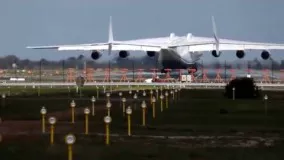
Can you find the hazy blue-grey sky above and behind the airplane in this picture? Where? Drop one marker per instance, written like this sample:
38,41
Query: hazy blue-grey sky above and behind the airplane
49,22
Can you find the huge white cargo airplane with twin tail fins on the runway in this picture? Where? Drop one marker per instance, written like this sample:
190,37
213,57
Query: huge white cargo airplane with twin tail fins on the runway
173,52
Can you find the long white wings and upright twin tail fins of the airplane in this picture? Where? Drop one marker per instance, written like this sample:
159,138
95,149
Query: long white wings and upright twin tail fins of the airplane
195,44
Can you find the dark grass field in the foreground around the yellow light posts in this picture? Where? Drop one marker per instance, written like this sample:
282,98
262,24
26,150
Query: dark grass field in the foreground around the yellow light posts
191,128
